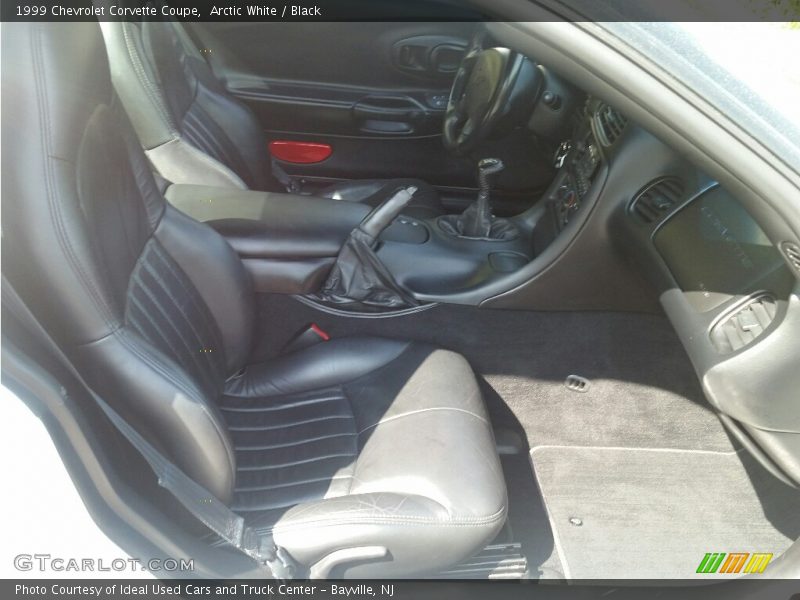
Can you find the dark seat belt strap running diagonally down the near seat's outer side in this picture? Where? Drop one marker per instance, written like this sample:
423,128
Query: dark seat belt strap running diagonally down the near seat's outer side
201,503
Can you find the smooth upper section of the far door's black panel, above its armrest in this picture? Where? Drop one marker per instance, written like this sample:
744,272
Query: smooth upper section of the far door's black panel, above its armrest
350,54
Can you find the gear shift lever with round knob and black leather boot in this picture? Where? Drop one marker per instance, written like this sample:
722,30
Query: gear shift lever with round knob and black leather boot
477,220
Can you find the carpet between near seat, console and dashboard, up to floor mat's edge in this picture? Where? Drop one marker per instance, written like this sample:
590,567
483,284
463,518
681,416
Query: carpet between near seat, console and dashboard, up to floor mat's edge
644,390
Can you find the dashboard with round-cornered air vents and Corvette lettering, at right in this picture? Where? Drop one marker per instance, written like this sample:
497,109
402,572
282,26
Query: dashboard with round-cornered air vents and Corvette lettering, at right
729,289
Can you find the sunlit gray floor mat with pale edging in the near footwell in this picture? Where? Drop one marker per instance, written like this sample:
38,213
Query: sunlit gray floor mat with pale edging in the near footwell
654,513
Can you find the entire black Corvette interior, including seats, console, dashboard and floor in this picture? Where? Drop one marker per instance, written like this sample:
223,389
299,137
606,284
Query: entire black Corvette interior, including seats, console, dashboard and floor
413,305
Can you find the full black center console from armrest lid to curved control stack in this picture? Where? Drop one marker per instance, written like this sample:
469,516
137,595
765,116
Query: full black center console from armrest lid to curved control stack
294,244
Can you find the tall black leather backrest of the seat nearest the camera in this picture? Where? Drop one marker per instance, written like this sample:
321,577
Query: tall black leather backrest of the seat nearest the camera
155,309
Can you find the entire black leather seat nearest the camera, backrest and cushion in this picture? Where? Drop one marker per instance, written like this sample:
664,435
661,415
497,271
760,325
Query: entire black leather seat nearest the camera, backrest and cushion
353,442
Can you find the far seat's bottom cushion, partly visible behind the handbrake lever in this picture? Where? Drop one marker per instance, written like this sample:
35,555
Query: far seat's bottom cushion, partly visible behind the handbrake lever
425,204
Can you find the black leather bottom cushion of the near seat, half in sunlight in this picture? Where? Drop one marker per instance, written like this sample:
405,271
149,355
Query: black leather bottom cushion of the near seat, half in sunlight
367,442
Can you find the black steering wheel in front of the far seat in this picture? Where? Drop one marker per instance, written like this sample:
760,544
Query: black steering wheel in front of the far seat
489,86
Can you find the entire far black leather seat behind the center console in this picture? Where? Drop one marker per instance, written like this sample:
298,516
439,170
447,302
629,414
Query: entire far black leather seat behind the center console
194,131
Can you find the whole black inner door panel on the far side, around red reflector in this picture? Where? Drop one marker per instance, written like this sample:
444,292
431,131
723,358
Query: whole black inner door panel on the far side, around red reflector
375,92
